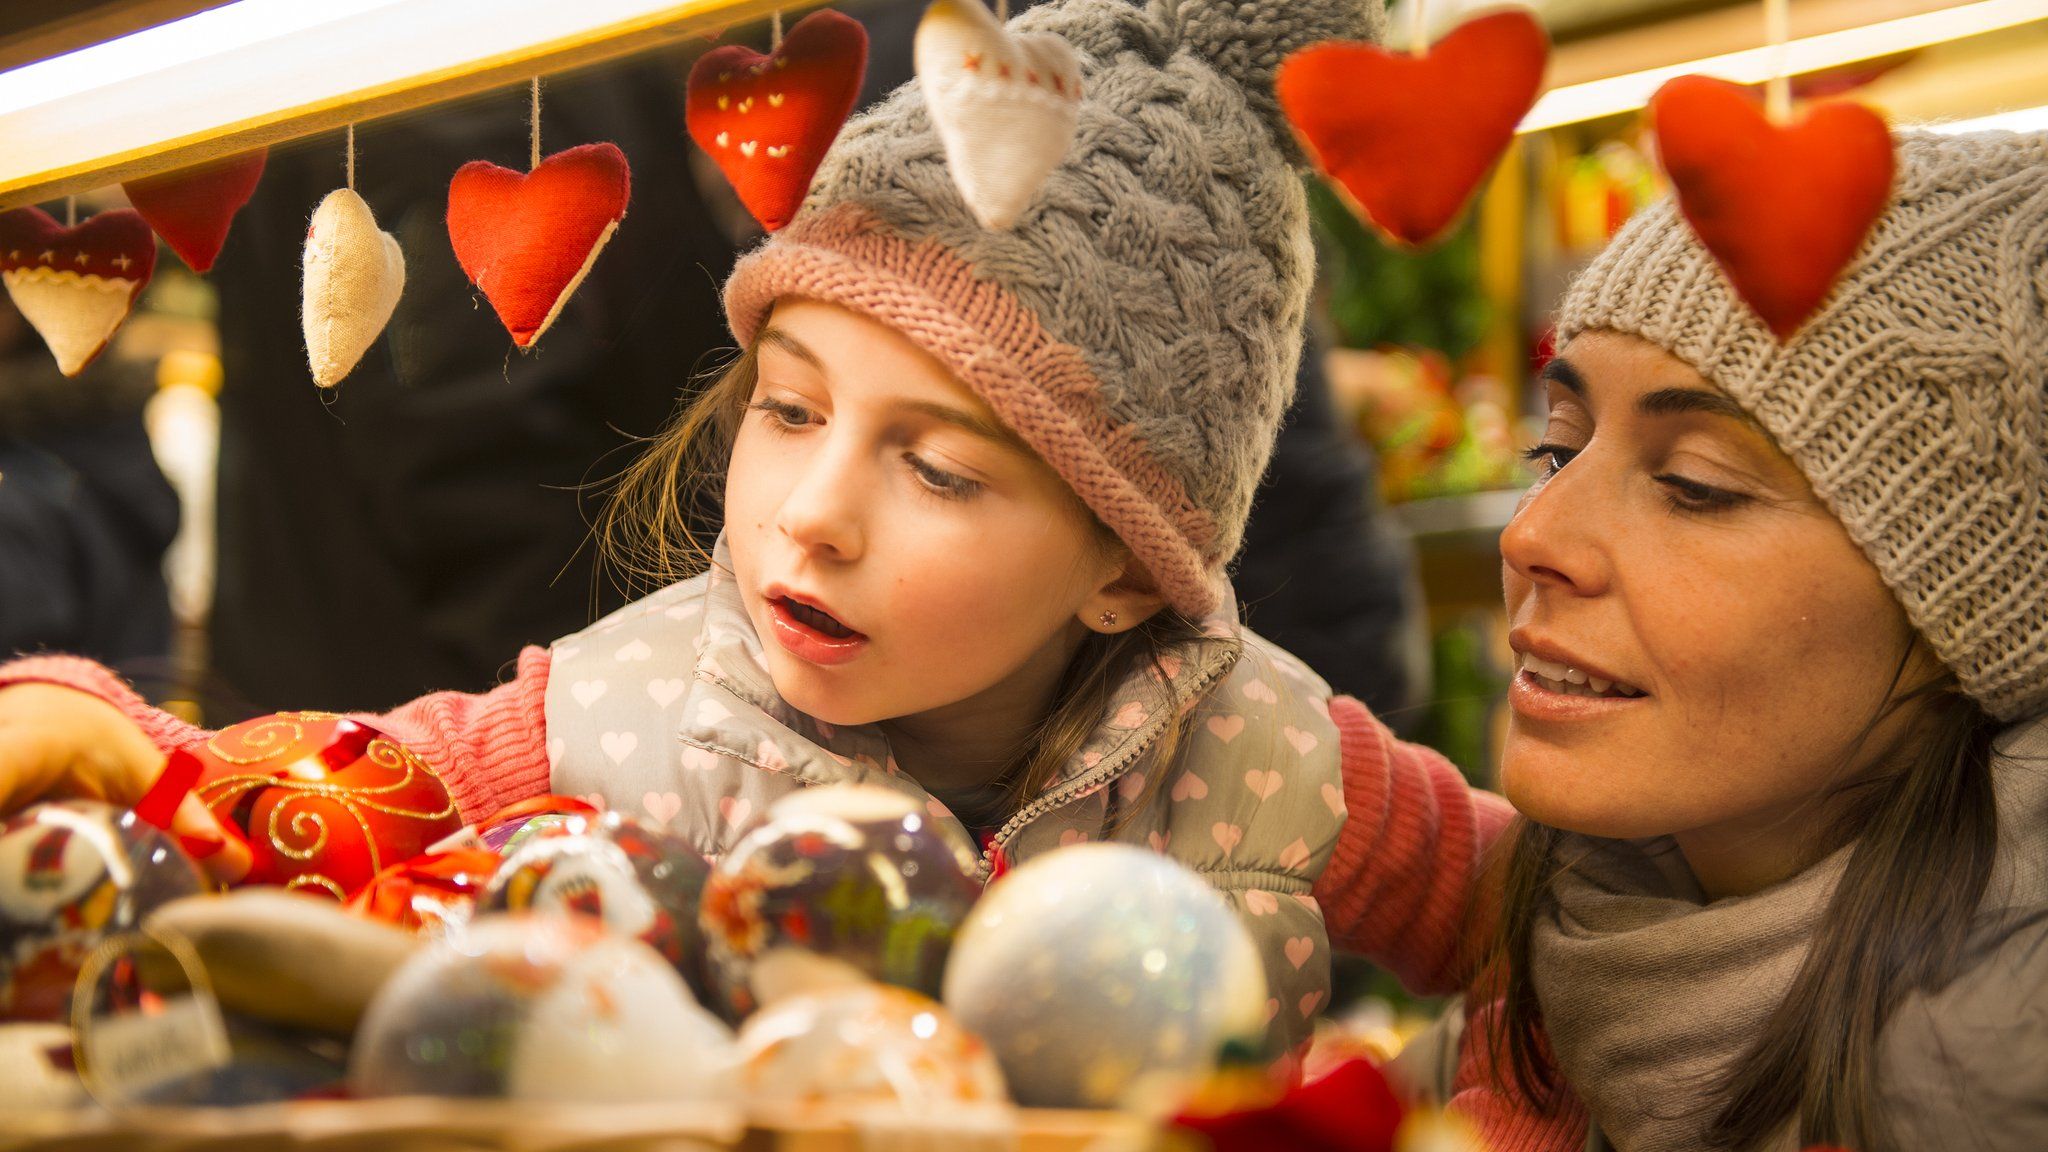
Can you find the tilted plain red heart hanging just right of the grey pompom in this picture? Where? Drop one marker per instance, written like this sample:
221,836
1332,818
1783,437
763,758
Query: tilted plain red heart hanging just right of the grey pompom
1410,138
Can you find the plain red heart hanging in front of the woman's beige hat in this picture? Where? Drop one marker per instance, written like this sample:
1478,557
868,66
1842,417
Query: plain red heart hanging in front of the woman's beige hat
1783,208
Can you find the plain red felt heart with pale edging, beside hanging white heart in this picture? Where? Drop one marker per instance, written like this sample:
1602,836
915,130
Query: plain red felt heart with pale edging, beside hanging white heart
529,239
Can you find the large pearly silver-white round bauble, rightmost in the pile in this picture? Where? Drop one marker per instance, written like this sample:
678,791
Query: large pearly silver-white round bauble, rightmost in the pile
1105,971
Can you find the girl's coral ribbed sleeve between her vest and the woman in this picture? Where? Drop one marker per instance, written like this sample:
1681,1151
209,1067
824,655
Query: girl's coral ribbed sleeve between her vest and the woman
1402,887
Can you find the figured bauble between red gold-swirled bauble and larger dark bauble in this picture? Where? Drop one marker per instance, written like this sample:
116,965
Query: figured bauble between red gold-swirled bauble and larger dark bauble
636,880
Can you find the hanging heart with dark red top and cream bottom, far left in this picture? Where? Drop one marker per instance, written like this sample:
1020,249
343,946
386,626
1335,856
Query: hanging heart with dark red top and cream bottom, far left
75,286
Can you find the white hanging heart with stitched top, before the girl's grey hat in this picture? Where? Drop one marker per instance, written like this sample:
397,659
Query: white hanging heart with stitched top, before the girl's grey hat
1005,106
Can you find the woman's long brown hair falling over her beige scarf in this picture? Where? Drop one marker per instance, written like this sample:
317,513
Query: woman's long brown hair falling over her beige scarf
1926,835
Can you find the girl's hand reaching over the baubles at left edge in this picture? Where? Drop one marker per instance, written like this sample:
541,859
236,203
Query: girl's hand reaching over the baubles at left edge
60,743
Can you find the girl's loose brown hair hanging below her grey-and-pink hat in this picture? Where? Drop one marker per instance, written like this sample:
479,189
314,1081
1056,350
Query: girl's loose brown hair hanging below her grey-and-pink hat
648,540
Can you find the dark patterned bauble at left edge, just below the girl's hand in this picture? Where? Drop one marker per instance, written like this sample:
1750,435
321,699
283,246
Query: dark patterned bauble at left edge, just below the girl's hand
71,874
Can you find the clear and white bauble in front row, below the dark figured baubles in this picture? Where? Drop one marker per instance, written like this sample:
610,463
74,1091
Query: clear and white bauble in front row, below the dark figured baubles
542,1010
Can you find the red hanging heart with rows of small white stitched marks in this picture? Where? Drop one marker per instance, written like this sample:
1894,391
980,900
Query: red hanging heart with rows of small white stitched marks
769,120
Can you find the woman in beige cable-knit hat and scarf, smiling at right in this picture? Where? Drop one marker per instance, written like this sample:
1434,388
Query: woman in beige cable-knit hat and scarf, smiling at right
1781,868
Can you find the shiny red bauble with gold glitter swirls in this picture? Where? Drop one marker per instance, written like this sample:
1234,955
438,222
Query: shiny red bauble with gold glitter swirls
325,803
